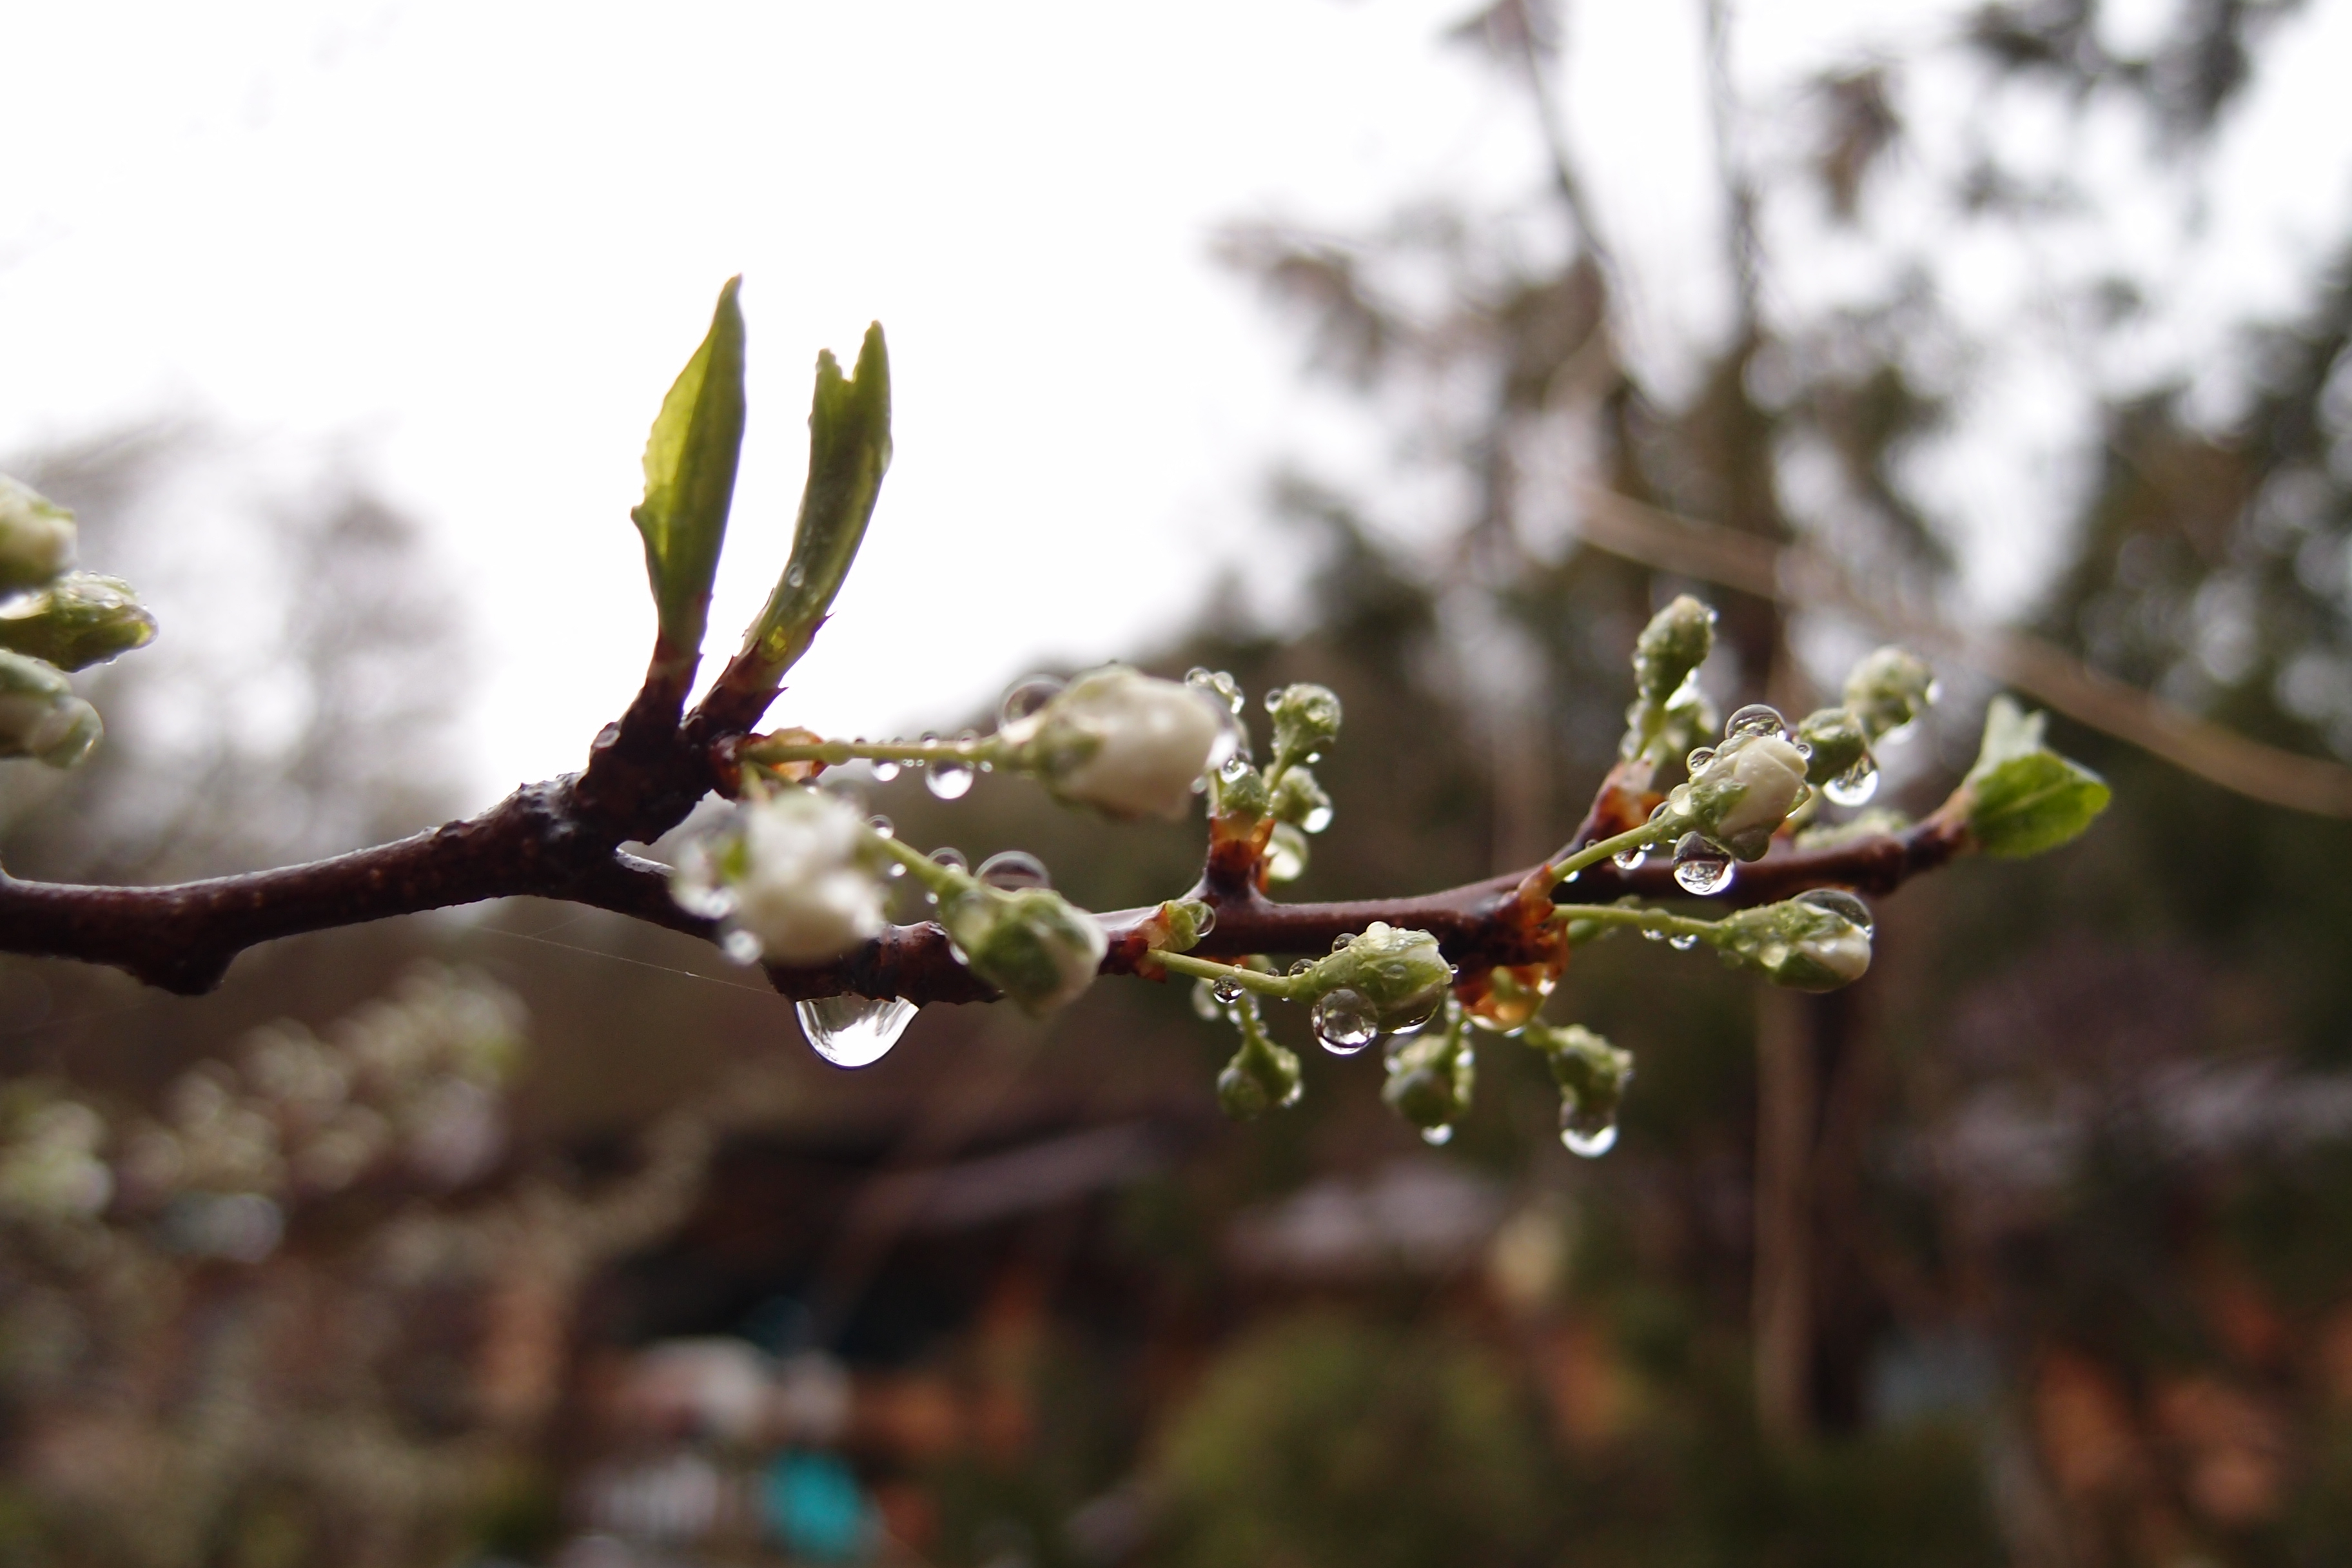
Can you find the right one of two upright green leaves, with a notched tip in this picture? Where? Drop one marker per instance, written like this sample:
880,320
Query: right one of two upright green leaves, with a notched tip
848,460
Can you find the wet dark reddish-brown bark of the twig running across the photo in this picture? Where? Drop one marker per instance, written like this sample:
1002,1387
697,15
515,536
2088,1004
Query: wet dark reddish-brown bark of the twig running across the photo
646,772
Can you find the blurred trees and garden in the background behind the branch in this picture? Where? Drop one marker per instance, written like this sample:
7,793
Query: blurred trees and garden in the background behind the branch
2026,1252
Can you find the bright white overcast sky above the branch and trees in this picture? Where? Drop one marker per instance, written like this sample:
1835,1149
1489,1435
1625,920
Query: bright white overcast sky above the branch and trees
472,246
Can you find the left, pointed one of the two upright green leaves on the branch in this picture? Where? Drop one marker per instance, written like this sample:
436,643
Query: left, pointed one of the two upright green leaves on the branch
690,464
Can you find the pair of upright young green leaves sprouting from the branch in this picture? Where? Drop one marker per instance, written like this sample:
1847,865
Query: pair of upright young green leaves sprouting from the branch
690,471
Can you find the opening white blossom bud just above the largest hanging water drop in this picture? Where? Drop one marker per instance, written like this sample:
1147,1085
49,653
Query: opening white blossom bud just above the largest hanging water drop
794,873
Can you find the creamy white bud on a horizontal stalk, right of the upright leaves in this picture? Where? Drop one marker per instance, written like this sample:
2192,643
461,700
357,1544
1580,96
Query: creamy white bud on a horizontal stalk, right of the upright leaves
1121,742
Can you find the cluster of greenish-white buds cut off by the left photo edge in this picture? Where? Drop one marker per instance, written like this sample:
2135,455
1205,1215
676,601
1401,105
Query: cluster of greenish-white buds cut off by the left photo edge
53,619
